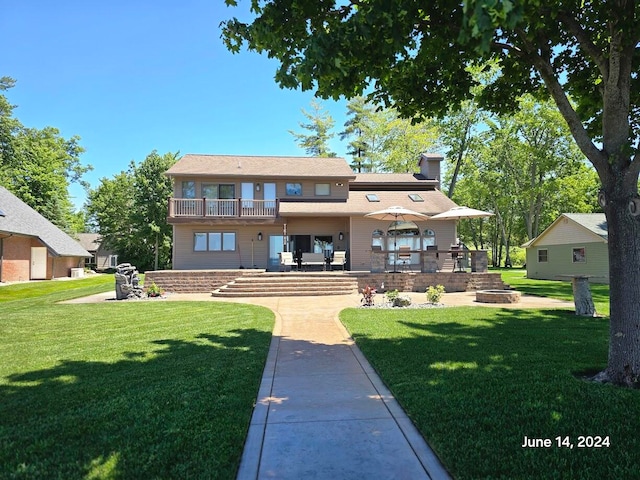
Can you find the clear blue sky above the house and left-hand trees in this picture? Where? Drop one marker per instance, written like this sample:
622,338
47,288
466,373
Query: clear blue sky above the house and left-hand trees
132,76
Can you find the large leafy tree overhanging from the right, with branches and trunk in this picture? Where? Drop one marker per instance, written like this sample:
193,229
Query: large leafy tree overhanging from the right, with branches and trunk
582,54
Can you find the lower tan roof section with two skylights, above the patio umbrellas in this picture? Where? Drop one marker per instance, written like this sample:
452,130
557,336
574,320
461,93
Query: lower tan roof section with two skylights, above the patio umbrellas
358,204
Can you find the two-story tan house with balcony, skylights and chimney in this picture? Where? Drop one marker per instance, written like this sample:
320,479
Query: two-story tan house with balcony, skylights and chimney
232,212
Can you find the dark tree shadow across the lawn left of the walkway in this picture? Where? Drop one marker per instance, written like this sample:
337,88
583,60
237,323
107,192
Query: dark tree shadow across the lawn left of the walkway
179,409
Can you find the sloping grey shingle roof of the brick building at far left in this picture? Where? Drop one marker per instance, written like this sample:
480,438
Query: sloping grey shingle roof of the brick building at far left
20,219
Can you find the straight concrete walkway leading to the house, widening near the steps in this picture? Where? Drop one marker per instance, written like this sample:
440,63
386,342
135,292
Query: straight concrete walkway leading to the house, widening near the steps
322,412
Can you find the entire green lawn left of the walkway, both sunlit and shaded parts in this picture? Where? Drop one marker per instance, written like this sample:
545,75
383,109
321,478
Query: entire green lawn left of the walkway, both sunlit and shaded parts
125,390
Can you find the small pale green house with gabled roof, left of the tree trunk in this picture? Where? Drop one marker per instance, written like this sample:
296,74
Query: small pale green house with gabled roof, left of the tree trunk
574,244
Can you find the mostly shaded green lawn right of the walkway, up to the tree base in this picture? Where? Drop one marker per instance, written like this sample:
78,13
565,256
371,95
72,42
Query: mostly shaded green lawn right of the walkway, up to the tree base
476,387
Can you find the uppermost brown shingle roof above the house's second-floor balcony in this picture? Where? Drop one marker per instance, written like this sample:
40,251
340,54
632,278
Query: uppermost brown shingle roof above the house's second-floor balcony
262,166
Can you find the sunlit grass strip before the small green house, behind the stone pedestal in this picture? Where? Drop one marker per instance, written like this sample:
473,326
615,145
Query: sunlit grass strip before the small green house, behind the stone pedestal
562,290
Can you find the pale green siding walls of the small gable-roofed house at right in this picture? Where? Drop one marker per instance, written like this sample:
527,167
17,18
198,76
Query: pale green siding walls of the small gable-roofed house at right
560,261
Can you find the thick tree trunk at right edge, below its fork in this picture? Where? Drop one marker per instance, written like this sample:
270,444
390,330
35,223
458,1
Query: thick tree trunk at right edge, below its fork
624,264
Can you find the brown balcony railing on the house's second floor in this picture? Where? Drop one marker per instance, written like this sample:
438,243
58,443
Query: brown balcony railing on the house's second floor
214,208
